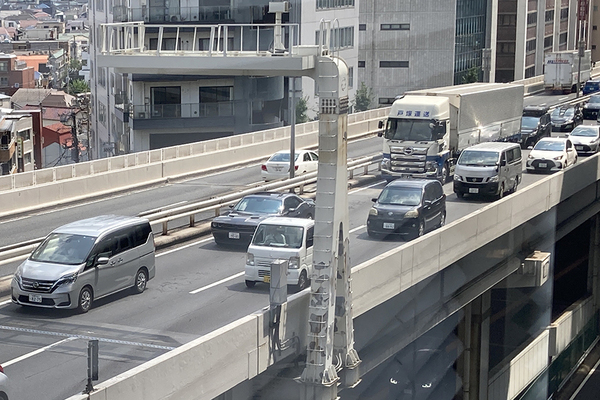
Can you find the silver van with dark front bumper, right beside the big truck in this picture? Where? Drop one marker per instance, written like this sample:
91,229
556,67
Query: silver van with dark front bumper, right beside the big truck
492,169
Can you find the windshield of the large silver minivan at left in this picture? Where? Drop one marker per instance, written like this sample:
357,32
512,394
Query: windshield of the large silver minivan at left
64,248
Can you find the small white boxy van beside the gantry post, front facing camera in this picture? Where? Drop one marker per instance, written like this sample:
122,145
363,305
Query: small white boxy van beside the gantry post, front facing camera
278,238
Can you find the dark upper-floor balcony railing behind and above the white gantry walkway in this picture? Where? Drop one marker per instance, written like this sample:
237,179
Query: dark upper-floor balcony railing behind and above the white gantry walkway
172,14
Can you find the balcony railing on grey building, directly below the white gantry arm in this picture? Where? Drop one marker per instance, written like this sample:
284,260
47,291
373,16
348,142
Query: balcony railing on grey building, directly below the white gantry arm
185,110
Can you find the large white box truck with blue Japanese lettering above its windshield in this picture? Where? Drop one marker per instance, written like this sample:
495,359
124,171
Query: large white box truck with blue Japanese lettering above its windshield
427,129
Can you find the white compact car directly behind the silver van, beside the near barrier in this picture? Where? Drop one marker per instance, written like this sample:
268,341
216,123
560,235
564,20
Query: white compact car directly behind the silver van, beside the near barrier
551,154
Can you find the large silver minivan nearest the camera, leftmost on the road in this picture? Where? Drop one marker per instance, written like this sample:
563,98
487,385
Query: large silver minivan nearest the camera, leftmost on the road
85,260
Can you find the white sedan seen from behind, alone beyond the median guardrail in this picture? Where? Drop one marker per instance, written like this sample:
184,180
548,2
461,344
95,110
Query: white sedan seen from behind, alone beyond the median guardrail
278,166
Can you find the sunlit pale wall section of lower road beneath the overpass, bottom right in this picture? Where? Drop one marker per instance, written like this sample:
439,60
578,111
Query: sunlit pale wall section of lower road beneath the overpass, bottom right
522,370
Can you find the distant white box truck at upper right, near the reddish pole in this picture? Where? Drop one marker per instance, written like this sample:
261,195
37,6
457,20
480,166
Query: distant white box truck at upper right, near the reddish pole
561,70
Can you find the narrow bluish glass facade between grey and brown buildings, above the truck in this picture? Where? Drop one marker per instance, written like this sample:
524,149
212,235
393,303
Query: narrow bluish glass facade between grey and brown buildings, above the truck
470,40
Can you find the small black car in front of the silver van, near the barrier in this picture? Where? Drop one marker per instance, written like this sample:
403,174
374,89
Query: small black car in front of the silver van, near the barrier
407,208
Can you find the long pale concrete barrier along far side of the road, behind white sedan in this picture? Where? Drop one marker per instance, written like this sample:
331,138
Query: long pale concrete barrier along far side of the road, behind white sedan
52,186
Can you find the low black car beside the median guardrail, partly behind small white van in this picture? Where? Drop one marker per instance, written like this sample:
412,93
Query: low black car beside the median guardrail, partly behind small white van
237,225
